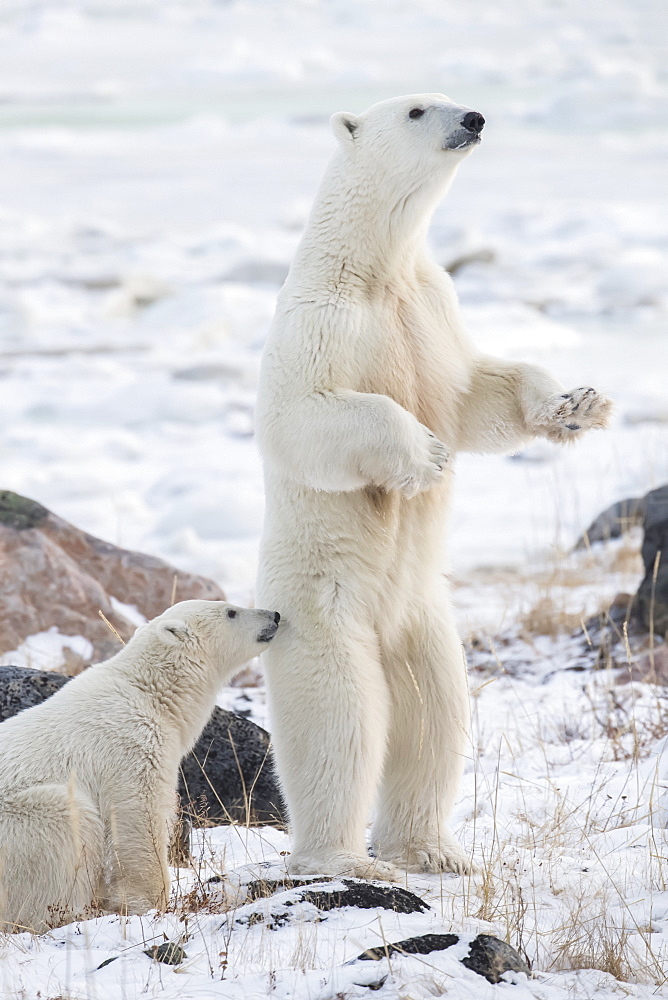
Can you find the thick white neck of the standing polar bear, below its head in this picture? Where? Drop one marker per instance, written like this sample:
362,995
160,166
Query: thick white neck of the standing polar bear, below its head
366,227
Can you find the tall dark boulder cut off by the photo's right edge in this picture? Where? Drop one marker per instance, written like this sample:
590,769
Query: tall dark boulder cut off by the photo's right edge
651,600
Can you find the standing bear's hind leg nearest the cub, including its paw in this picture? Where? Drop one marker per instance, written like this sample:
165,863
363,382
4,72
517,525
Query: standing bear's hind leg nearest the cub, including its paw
330,751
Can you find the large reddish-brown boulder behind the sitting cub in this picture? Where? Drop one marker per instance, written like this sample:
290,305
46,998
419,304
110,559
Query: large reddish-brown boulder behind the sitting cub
53,574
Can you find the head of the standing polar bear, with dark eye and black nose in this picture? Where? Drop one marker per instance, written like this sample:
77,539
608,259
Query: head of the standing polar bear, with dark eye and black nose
421,134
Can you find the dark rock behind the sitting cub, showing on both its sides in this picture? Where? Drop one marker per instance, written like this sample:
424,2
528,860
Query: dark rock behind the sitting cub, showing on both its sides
228,777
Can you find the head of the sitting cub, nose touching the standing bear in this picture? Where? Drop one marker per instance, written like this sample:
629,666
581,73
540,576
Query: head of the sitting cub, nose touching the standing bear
213,631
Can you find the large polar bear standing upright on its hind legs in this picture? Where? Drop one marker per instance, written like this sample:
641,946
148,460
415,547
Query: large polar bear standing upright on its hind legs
369,386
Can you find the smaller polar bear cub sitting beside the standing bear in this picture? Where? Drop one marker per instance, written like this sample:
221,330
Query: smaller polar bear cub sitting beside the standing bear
88,779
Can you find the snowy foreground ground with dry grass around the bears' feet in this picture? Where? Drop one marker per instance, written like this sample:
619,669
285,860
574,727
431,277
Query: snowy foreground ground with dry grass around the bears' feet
560,811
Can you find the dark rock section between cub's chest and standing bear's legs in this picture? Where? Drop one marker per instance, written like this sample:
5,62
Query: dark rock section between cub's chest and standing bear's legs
229,777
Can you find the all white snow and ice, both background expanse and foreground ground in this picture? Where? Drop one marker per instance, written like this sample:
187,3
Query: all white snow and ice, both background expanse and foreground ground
158,161
